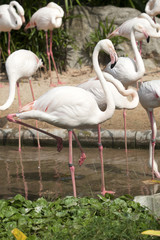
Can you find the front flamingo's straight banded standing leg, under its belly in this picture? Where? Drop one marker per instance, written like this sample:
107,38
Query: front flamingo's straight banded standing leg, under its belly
72,168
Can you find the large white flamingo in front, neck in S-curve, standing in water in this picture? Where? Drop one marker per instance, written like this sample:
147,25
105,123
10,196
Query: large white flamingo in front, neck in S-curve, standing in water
71,107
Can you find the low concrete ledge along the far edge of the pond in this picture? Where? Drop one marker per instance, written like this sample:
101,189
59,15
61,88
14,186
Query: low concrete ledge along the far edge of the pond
88,138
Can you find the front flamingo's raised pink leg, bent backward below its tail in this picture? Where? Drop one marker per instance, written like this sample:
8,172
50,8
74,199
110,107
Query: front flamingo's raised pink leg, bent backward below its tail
10,118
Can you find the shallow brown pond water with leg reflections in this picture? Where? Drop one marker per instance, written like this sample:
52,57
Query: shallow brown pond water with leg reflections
35,173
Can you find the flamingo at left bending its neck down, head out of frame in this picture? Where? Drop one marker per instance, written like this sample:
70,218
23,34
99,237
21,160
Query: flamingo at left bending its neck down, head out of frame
21,63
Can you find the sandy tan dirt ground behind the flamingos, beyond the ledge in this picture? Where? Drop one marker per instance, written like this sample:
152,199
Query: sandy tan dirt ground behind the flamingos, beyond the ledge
136,119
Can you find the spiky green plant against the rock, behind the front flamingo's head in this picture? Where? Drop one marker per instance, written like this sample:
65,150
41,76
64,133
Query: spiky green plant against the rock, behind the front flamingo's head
101,32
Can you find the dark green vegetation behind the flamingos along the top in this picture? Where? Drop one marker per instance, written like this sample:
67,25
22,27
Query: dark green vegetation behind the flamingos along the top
35,40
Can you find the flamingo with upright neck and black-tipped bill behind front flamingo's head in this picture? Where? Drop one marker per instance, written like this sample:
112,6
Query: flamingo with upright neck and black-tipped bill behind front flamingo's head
128,70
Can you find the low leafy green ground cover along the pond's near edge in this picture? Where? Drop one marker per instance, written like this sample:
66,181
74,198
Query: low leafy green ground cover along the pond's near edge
76,218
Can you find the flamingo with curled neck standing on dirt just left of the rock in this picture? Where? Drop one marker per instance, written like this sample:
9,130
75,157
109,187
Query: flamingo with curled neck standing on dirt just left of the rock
48,18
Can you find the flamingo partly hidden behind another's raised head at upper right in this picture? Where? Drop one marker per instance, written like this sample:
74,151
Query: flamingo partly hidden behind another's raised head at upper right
125,28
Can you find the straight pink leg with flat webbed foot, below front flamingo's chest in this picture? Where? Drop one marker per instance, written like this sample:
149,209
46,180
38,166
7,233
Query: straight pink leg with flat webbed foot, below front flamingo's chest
103,190
